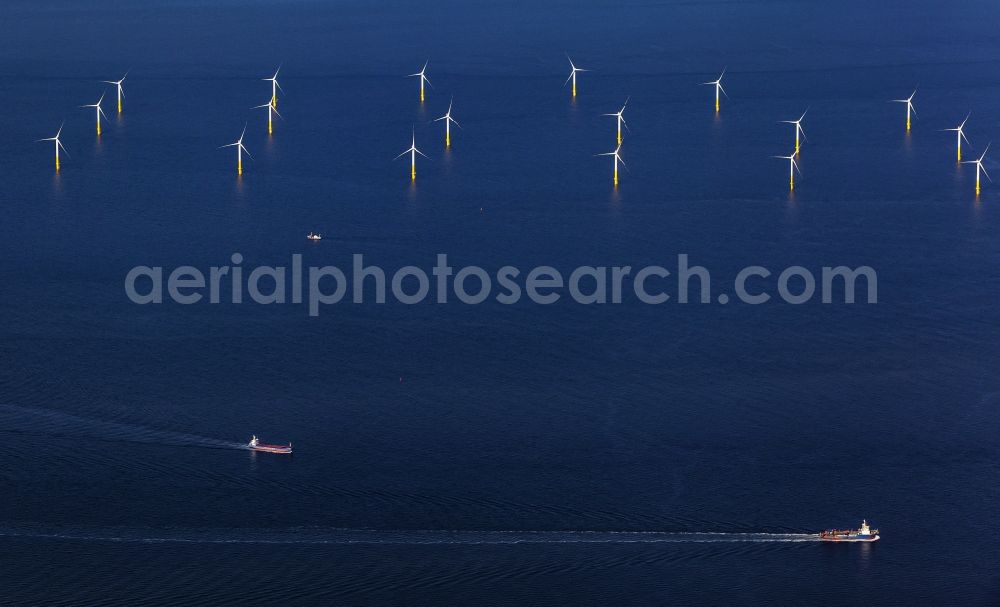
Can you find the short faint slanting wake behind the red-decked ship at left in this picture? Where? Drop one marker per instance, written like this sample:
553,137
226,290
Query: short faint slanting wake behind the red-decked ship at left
50,421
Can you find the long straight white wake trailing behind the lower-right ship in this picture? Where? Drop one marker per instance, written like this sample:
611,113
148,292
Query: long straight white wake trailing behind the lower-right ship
404,537
